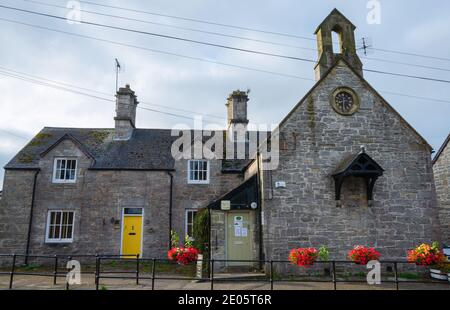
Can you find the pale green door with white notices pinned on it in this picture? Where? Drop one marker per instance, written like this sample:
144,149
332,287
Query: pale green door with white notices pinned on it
239,237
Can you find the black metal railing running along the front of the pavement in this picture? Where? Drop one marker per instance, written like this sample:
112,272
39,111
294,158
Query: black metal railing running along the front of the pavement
212,278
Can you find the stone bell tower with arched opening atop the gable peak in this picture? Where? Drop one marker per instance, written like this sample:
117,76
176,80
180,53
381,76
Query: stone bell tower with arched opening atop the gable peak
345,31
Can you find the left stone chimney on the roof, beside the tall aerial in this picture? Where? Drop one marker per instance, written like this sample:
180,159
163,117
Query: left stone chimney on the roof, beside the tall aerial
125,120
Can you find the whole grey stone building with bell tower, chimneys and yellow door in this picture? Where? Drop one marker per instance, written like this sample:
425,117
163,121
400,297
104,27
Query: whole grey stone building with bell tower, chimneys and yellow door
350,170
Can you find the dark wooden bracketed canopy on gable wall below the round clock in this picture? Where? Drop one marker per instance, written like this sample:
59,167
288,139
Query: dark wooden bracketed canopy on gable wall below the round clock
362,166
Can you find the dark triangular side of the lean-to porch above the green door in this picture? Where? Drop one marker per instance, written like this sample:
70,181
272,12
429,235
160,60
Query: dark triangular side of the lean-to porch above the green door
241,197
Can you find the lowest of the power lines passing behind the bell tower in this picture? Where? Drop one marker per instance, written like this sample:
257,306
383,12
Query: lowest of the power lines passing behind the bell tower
201,59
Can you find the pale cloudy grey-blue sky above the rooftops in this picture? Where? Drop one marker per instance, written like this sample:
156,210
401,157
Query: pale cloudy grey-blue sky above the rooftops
411,26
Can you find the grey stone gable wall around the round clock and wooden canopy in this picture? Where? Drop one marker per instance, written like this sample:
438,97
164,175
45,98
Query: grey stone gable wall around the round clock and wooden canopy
316,140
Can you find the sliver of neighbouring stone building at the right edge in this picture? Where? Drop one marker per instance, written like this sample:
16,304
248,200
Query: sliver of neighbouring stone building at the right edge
441,168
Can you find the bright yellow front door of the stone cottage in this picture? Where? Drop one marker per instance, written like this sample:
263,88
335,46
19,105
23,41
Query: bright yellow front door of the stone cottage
131,236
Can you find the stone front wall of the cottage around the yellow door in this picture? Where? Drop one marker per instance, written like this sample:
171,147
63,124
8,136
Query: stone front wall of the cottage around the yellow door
98,198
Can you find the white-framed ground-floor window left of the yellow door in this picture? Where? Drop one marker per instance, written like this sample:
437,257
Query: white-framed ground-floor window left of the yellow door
60,226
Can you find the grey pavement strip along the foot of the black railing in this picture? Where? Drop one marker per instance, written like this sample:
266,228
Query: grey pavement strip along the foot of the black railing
228,282
